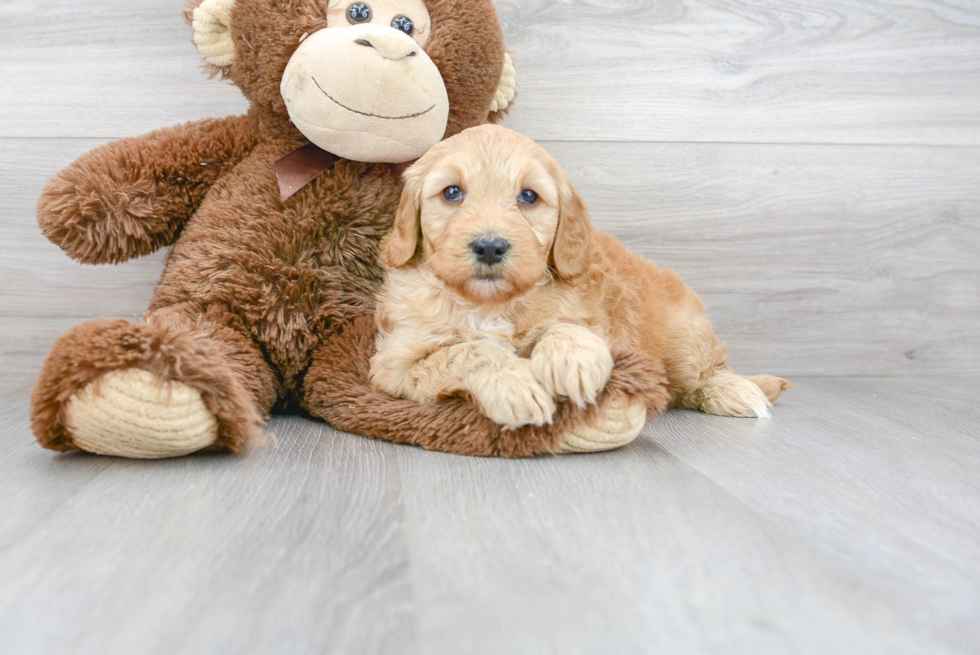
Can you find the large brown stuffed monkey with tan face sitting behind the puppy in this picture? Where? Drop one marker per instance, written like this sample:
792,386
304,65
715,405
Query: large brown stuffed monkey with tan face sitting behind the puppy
273,220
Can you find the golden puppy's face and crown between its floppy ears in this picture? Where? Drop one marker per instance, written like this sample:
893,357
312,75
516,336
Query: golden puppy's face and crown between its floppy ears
489,211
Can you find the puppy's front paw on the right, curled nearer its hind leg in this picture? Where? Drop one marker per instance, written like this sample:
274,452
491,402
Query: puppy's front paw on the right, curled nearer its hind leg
570,360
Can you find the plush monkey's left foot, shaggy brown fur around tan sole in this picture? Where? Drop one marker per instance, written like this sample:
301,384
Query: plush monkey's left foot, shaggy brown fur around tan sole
144,390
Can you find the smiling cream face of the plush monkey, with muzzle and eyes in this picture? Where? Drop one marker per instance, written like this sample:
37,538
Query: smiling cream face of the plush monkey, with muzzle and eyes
364,88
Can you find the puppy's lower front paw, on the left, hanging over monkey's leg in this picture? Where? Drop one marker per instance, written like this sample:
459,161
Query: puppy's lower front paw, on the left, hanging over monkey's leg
514,398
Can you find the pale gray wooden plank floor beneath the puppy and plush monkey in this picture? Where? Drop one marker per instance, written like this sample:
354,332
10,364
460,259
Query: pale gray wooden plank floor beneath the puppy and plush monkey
847,523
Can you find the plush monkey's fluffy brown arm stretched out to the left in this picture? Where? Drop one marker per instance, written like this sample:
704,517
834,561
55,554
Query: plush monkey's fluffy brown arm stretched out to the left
131,197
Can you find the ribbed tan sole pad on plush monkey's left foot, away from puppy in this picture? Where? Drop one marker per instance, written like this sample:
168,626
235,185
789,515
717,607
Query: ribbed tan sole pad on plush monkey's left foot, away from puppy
133,413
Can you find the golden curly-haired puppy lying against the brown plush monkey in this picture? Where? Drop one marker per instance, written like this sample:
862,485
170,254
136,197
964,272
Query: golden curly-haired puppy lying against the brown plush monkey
498,286
